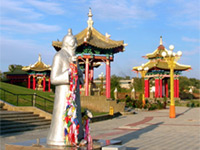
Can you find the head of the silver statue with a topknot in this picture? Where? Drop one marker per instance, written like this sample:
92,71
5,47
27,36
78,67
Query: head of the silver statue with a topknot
69,41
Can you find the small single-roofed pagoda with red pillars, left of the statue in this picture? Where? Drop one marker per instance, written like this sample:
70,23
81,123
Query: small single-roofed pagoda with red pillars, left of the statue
39,72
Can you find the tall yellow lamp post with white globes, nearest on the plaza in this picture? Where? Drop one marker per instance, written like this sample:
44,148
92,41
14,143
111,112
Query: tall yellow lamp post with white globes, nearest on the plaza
170,57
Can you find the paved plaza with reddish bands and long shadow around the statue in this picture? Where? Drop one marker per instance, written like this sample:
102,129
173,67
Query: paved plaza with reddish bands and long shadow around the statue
146,130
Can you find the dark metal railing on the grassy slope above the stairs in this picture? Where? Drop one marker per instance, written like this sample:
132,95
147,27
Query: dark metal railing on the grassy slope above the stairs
27,100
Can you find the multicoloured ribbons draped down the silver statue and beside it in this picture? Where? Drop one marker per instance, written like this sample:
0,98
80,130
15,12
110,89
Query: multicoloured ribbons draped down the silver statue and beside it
71,123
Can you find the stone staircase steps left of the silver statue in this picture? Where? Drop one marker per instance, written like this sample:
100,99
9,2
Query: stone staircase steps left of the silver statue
12,122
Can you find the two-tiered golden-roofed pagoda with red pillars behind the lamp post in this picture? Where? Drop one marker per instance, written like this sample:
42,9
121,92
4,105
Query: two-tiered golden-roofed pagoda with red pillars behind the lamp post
158,70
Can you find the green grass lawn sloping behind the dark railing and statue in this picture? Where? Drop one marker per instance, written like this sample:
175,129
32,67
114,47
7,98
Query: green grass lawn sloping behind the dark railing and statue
26,100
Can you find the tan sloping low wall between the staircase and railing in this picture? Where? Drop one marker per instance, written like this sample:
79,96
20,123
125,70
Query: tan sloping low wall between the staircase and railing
35,110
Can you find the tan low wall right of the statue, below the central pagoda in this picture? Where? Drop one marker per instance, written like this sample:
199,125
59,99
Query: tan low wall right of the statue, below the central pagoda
101,104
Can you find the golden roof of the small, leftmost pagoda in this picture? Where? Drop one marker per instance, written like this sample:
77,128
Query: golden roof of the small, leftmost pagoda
38,66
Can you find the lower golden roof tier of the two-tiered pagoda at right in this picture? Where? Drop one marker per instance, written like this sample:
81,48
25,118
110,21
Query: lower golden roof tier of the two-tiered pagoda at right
162,65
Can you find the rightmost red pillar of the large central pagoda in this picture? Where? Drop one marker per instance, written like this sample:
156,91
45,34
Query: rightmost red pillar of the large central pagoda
107,78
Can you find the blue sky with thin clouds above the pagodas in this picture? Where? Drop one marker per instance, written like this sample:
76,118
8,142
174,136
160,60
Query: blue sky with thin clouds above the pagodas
28,27
